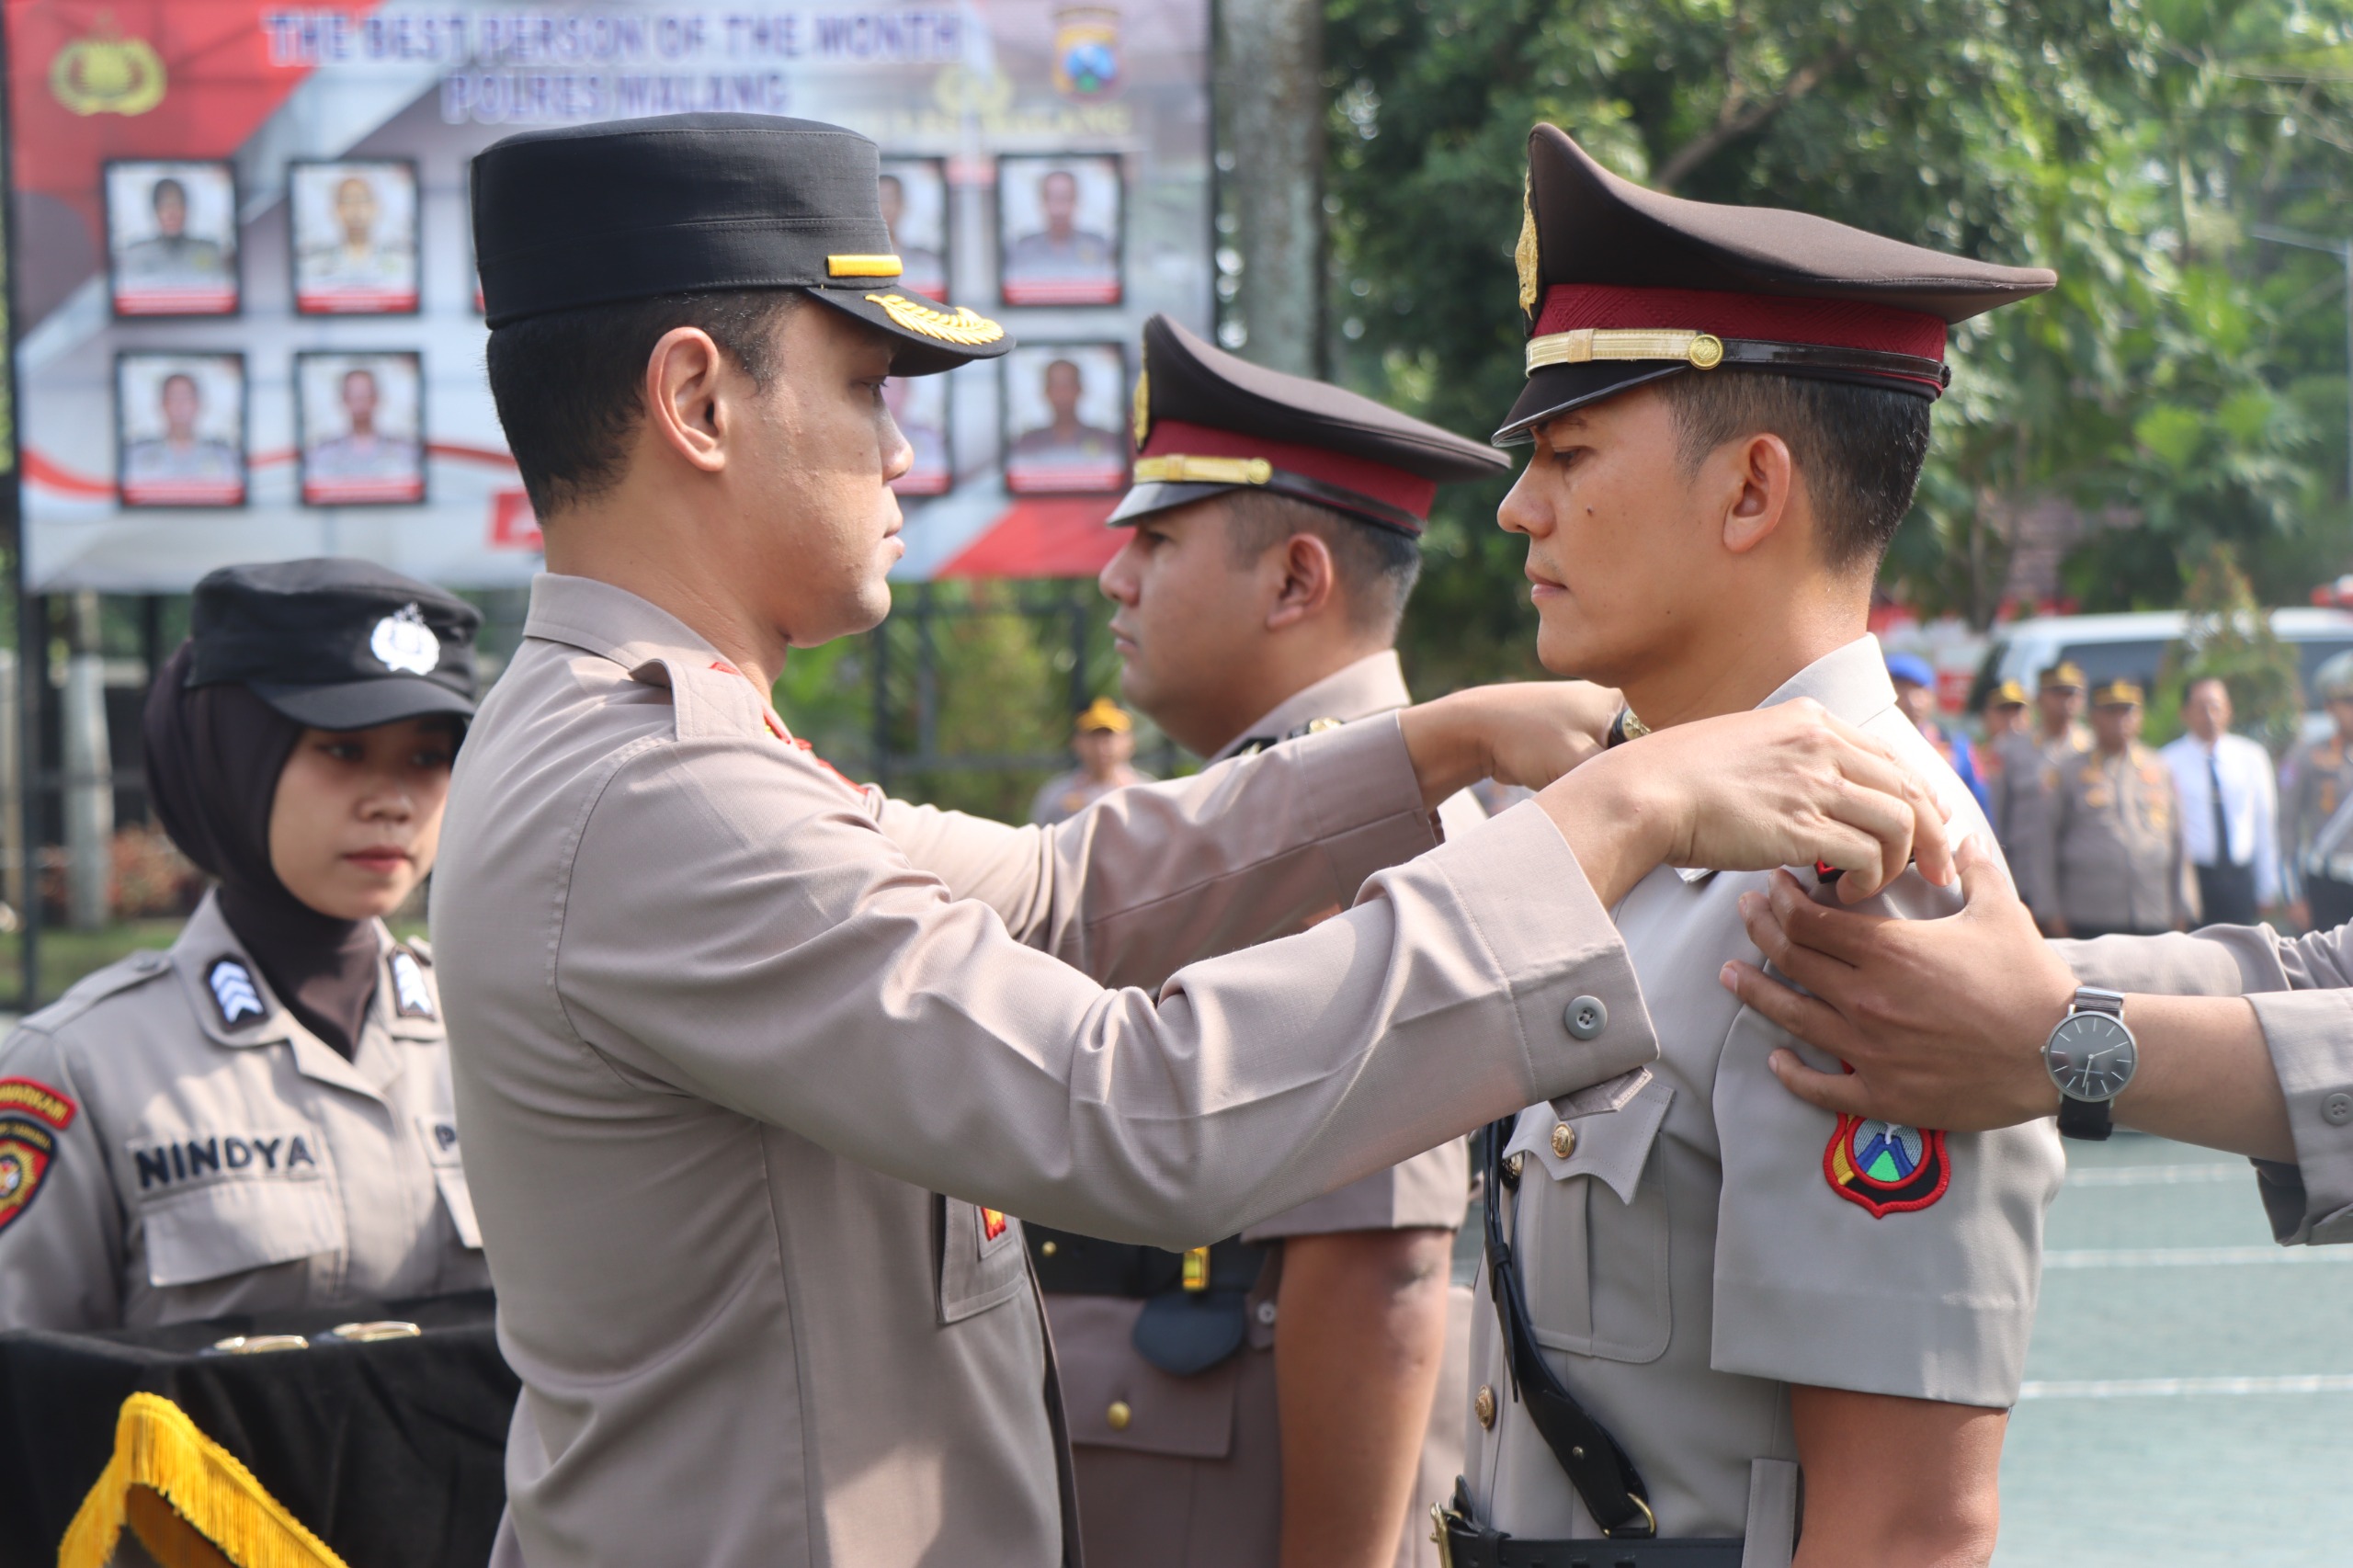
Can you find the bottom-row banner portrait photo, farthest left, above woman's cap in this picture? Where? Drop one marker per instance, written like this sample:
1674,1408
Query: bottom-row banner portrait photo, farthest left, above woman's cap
180,430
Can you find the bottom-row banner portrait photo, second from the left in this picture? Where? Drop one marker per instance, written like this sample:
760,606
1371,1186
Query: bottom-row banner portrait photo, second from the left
361,420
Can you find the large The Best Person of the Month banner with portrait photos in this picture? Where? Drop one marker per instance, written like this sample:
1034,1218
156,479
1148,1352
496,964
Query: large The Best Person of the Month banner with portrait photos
241,178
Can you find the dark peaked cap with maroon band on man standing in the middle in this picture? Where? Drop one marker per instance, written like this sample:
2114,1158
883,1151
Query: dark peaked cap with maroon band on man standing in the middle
1211,423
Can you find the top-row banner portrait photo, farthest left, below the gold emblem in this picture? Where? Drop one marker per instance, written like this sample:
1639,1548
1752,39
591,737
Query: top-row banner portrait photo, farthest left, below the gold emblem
173,239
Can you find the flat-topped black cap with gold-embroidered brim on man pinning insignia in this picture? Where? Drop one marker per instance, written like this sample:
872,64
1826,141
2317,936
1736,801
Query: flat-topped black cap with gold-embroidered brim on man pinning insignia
688,204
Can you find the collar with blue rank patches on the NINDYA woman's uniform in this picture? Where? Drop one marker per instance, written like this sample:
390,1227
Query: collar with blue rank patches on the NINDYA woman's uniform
234,1004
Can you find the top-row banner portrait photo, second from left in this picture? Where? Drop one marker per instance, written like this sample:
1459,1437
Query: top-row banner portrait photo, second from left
354,237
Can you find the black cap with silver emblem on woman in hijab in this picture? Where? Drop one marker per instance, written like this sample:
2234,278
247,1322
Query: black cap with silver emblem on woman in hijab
335,644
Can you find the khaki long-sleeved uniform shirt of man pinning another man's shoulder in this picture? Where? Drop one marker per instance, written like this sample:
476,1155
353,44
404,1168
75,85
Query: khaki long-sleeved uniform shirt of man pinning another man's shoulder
754,1065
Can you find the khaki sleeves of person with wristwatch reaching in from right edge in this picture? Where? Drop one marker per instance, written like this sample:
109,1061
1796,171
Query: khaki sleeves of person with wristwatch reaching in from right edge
2302,995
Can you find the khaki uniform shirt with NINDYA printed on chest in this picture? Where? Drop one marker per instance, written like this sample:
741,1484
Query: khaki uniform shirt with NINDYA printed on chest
175,1145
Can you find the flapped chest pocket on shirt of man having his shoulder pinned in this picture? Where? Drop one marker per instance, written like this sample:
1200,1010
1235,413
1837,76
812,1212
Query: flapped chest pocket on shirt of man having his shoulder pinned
1594,1228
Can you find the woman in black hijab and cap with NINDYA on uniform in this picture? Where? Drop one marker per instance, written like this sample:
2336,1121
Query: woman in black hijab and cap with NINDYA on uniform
260,1117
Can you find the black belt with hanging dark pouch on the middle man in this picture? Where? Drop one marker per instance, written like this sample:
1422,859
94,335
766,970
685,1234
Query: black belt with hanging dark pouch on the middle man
1197,1303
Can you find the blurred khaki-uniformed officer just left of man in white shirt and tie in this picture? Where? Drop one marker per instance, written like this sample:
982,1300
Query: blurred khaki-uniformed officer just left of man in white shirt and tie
2109,858
